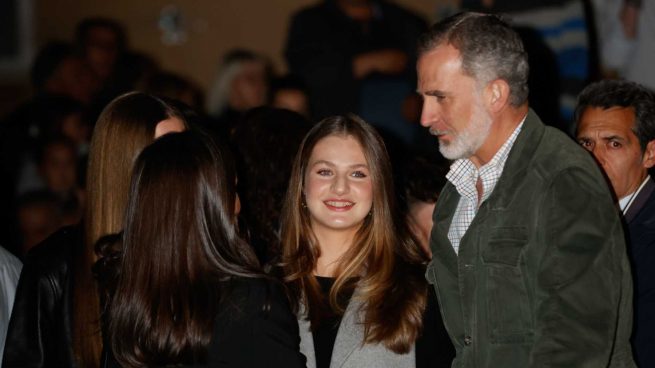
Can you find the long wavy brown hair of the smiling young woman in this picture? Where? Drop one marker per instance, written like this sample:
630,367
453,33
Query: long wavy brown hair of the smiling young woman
384,258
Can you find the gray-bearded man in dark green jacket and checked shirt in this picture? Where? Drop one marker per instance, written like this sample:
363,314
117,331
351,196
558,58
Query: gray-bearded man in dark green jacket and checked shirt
529,260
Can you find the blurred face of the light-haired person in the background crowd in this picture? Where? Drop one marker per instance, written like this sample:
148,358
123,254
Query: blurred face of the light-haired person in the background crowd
250,87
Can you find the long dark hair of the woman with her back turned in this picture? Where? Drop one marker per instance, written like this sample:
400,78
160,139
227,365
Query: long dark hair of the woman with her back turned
179,242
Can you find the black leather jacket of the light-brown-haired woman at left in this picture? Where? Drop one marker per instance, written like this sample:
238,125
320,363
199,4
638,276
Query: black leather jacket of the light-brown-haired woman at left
39,332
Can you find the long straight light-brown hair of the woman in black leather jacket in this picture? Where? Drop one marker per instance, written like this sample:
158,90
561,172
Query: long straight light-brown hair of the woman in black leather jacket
124,128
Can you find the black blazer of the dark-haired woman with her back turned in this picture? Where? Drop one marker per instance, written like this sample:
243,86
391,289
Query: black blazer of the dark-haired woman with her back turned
254,328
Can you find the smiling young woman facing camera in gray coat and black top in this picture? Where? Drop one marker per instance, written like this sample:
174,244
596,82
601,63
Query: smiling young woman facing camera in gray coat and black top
354,272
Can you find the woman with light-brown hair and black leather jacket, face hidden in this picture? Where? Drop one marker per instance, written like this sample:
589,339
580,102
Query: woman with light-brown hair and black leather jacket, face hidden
56,316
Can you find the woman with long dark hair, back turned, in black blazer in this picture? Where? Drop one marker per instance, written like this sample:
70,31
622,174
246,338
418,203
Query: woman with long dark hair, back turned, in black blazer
188,290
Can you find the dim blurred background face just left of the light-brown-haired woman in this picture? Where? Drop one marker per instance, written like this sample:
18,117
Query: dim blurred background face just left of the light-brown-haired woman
59,168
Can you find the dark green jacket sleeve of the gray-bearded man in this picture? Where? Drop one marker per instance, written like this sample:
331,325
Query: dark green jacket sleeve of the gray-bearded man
583,284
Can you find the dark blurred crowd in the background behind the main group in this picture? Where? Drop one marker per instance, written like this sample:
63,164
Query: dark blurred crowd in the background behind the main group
342,56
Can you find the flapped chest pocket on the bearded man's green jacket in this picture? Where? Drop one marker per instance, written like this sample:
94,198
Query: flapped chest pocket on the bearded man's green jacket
507,300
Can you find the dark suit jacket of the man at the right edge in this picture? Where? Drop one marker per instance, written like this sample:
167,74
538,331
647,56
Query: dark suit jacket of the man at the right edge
640,220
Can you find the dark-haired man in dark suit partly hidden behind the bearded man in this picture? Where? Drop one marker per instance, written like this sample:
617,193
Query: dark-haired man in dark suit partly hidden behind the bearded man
616,123
